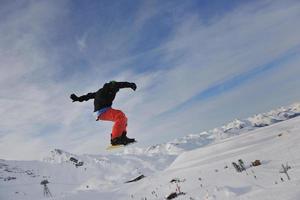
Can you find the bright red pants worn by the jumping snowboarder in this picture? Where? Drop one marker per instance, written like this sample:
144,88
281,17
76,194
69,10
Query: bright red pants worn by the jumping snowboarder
118,117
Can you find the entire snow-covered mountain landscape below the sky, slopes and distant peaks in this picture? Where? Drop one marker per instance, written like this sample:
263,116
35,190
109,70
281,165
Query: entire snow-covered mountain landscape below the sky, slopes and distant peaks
198,166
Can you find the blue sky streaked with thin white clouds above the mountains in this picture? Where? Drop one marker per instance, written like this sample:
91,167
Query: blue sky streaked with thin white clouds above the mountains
197,65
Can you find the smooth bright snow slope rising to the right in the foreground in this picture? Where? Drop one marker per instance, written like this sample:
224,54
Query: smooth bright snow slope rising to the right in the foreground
208,173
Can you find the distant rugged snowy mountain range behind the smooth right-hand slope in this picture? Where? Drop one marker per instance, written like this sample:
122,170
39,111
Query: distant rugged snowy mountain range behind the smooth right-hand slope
235,127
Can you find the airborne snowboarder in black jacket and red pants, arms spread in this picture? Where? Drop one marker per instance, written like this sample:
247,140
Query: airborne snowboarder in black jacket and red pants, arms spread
103,99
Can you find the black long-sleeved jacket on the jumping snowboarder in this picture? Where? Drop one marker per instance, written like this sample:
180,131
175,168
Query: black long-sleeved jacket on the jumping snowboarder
105,95
